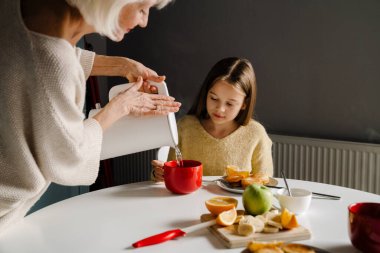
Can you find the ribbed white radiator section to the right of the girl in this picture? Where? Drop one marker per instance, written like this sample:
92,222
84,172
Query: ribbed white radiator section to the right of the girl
349,164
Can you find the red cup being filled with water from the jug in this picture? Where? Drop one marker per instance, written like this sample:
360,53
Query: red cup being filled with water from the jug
184,179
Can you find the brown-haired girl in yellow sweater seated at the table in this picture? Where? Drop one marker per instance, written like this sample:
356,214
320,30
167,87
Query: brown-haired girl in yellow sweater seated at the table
219,129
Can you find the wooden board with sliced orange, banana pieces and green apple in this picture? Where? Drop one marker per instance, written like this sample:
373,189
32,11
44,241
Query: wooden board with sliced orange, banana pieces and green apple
237,228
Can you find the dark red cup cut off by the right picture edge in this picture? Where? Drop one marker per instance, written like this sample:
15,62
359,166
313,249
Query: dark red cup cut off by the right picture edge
364,226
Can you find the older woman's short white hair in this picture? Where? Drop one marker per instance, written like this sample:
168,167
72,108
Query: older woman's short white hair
103,15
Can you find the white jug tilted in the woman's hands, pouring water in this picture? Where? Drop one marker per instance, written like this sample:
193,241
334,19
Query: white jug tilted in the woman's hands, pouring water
135,134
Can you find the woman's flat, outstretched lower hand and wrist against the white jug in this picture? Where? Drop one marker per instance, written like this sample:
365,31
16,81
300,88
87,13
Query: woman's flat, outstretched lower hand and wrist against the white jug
136,103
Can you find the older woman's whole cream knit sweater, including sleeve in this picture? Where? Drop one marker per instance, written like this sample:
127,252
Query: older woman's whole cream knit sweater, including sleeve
43,135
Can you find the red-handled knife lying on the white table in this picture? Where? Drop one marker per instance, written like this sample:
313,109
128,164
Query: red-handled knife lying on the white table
171,234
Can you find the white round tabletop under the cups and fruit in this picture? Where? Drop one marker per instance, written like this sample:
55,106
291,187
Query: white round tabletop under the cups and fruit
110,220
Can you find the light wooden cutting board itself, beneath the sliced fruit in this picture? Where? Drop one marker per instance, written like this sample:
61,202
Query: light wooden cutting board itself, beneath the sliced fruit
231,239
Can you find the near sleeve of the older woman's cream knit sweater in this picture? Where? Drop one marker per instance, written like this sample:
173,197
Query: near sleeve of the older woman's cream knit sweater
67,146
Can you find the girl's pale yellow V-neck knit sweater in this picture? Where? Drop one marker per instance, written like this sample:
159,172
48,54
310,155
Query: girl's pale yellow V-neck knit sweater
248,147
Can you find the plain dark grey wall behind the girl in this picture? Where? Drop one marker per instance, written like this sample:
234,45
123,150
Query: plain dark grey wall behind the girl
317,61
